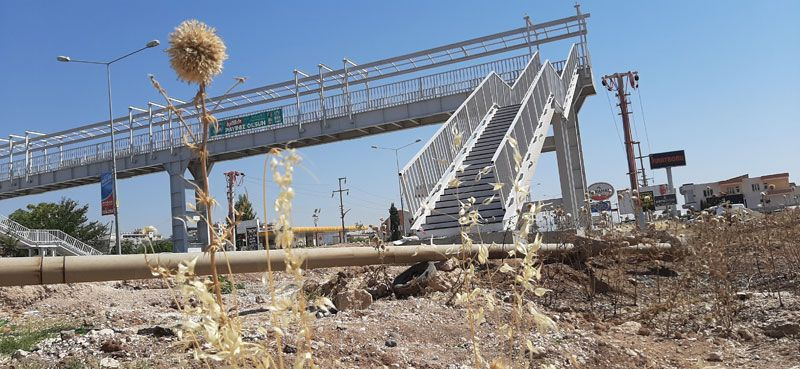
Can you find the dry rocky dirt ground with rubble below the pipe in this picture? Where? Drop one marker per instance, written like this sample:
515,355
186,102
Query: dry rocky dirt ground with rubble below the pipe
631,311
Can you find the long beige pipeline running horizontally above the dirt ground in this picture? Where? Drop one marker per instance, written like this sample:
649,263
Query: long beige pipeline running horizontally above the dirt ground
73,269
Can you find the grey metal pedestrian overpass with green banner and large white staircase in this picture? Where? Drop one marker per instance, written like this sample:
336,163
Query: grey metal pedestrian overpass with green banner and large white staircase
464,84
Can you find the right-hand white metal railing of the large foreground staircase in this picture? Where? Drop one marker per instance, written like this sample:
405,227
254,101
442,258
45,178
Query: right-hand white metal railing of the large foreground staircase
547,85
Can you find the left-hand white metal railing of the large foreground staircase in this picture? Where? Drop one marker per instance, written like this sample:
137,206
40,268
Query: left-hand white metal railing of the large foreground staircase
422,176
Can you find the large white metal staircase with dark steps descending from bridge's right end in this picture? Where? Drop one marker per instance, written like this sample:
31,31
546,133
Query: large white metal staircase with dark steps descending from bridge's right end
506,129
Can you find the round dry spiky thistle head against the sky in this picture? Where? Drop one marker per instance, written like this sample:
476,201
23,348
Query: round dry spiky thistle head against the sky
196,52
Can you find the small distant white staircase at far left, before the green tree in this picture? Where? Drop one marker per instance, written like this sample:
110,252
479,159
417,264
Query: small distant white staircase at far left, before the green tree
56,241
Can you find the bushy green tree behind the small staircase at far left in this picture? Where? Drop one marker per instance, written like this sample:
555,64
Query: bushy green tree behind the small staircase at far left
67,216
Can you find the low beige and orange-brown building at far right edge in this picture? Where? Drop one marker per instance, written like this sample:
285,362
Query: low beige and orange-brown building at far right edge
765,193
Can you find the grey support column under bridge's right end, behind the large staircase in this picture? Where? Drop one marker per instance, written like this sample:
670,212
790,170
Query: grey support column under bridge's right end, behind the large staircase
571,171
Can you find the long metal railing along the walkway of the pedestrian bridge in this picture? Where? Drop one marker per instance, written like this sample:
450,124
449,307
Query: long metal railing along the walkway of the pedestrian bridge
171,136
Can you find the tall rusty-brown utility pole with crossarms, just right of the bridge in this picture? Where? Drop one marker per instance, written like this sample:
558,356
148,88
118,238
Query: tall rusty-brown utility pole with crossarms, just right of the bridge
616,82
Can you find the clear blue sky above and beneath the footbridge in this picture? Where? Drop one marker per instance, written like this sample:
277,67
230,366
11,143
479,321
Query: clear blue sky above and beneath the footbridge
718,79
